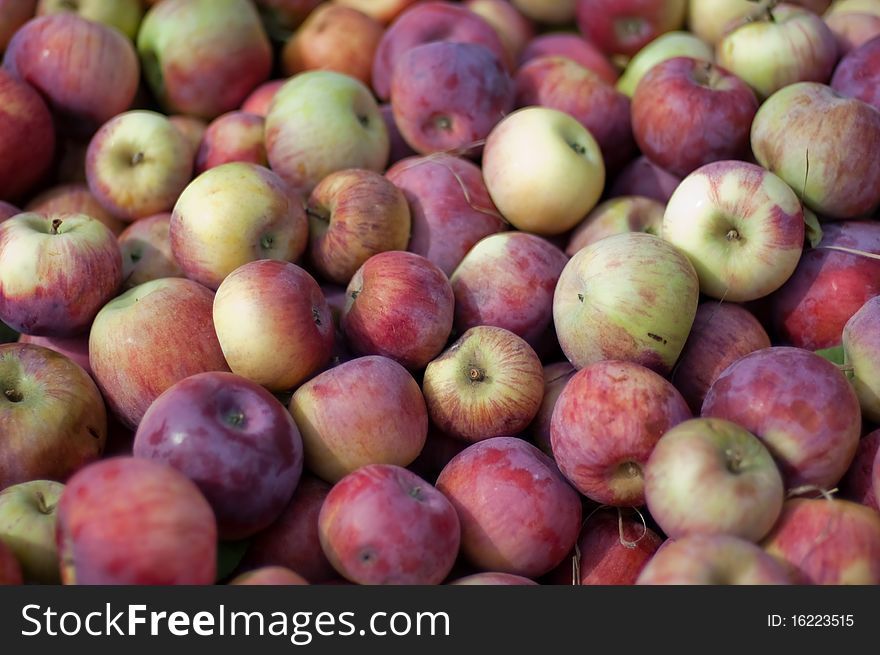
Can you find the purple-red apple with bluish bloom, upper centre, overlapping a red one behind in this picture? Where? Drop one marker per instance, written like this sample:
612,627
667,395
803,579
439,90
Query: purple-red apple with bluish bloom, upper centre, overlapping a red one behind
478,92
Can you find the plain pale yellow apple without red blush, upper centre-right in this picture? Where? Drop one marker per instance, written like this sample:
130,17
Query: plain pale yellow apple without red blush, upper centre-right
543,169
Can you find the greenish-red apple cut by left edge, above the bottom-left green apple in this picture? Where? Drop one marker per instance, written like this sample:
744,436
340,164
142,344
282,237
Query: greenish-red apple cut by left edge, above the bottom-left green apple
53,418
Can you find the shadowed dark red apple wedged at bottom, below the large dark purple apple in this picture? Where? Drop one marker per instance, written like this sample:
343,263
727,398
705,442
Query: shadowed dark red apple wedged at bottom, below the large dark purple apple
292,541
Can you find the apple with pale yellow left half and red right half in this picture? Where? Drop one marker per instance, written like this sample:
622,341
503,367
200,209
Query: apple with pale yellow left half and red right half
289,333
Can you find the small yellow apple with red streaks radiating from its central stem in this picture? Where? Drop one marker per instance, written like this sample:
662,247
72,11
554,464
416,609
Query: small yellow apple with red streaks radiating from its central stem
489,383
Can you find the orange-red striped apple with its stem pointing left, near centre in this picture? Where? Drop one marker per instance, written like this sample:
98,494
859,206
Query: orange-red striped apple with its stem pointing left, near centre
353,215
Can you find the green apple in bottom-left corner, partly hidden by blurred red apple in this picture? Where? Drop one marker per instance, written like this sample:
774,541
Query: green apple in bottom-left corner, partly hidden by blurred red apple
27,527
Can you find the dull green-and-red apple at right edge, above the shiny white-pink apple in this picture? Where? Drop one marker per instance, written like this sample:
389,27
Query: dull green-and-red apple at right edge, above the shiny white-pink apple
836,132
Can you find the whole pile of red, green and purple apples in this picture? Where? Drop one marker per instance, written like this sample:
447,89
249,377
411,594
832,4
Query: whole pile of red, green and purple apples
418,292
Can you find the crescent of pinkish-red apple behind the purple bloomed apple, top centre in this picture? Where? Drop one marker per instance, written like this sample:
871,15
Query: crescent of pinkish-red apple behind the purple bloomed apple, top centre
428,22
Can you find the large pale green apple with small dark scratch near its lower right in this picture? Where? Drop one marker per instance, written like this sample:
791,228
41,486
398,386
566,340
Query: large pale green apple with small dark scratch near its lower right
593,309
